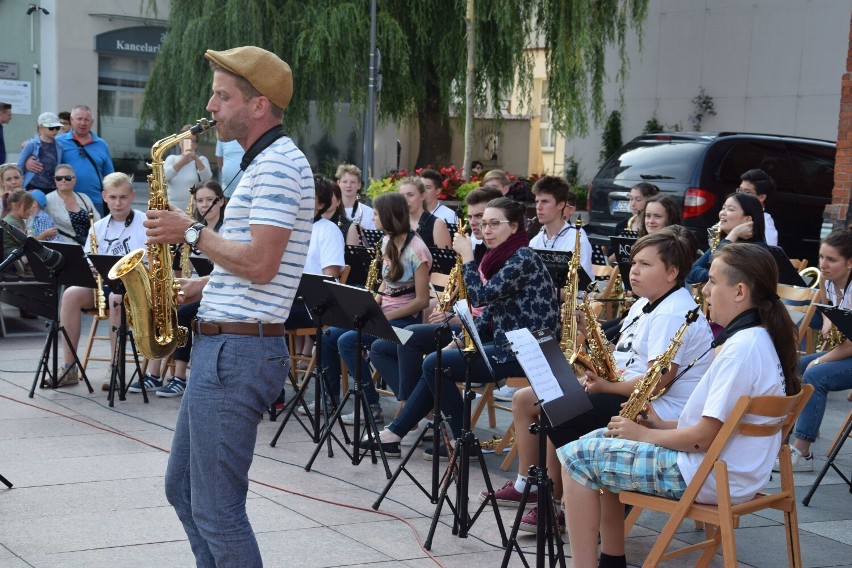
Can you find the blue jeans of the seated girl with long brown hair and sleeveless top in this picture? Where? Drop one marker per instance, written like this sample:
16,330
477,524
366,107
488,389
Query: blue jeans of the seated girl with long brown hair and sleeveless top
340,343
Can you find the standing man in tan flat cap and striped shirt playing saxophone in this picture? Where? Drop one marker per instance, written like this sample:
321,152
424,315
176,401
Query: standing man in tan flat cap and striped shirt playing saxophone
239,358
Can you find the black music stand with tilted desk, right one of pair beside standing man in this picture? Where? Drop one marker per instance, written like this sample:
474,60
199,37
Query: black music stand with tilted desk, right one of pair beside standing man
362,314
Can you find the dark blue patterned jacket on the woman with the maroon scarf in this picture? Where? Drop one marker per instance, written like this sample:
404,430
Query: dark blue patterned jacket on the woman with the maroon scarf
520,294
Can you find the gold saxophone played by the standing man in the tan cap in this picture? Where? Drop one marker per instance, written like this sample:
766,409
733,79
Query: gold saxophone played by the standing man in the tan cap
151,292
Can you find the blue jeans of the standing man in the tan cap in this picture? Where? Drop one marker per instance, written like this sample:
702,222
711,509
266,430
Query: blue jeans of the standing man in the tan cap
234,380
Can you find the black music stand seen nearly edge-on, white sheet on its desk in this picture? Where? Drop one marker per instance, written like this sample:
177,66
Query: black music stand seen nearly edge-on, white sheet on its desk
460,454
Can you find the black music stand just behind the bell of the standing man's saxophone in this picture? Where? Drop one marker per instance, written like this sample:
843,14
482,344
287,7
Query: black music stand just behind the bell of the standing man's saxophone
118,375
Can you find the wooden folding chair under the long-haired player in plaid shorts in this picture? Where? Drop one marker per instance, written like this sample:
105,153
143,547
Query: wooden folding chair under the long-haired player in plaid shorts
725,516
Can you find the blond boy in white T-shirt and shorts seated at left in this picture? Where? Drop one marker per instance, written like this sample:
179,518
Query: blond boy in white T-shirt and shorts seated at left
116,234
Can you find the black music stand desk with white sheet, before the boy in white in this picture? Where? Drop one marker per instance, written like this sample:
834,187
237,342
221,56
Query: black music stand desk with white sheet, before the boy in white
551,377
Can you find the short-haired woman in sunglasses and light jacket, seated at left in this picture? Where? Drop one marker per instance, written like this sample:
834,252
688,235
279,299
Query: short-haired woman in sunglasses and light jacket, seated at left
69,209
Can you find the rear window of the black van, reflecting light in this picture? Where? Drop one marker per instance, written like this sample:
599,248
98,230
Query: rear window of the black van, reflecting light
651,160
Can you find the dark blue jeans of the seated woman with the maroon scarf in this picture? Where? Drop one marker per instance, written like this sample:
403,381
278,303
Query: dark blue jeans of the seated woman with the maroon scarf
422,400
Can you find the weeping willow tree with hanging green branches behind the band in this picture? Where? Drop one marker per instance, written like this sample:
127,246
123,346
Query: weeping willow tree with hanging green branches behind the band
422,45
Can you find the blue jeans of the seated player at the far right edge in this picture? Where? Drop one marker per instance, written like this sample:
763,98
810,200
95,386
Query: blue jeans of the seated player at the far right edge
825,377
